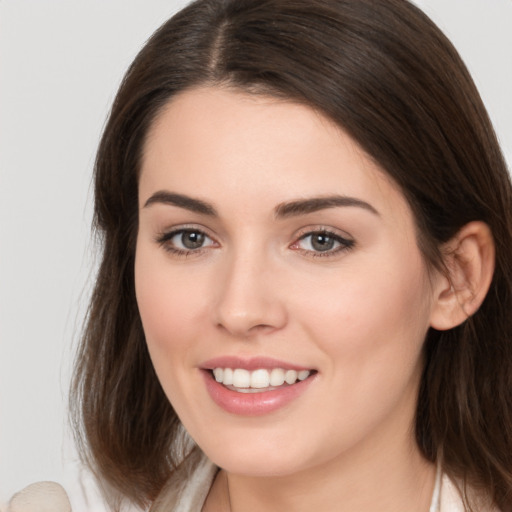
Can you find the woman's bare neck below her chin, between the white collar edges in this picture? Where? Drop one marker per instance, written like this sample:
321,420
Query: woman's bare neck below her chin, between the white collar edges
399,481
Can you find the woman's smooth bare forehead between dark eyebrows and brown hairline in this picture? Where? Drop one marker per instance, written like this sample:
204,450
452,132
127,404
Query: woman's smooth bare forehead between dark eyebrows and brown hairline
222,145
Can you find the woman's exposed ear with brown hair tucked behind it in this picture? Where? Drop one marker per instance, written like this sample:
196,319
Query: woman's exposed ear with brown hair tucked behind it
469,260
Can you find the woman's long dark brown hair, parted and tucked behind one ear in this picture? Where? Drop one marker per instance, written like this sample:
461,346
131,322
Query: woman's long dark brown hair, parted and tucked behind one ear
385,73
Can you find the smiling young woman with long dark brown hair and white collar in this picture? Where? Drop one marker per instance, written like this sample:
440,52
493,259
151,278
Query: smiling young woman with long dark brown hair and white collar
306,225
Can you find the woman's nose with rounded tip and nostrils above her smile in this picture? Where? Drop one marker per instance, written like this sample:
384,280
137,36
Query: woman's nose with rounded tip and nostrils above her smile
250,299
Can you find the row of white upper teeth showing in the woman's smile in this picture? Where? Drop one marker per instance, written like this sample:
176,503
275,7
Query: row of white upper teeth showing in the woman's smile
258,379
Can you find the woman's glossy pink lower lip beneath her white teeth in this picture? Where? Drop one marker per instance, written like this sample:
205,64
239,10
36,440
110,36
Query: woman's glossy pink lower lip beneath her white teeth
253,404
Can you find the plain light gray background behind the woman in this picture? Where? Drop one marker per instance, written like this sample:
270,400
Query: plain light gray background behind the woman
60,64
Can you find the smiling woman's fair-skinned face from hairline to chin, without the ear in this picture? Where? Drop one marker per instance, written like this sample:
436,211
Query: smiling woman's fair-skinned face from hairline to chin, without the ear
270,247
